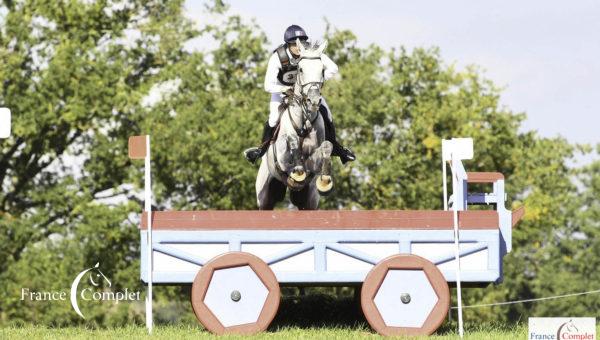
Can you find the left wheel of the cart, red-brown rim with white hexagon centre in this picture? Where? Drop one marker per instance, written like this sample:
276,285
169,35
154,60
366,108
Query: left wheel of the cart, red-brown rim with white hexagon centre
235,293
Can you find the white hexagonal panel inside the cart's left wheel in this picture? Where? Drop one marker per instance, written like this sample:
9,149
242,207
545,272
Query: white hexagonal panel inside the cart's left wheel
231,284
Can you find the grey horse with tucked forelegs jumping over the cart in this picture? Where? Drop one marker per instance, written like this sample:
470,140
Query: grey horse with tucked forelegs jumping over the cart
300,158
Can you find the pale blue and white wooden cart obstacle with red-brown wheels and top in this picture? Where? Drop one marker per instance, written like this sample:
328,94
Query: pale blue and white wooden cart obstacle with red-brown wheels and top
235,260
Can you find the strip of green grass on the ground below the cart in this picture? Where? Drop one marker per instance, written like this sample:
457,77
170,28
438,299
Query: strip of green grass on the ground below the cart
188,332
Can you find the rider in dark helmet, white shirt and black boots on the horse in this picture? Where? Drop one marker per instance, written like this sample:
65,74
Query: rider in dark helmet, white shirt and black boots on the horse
280,77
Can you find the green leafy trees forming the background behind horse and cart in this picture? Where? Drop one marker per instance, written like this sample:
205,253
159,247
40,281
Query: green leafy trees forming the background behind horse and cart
81,77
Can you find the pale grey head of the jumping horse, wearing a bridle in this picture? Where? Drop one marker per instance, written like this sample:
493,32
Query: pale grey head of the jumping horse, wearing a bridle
310,74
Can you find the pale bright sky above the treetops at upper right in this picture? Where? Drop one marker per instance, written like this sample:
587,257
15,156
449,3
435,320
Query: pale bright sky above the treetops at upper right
544,54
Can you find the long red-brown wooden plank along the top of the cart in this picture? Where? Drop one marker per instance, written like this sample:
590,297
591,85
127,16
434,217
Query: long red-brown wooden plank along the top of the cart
319,219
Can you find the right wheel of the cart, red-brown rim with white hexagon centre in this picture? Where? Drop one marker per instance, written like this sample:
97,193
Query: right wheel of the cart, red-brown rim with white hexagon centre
405,295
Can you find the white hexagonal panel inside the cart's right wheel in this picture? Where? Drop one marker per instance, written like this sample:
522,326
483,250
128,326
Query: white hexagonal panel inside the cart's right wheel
396,313
